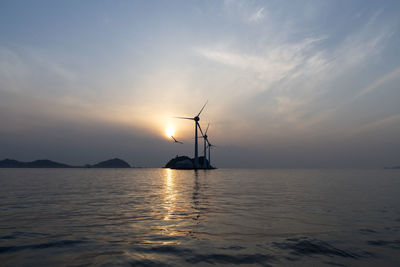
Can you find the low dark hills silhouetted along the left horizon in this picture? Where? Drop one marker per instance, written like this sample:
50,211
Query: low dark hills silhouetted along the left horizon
45,163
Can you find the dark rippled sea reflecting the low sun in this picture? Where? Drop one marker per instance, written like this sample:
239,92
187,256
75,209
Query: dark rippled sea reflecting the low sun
223,217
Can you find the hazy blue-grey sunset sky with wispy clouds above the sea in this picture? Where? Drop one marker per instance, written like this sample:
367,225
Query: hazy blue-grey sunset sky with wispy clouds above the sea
289,84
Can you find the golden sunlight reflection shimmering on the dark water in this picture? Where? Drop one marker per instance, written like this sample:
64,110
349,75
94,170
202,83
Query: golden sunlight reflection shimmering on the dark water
175,208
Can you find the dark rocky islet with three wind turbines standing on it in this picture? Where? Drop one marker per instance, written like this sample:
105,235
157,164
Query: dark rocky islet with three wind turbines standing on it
197,162
